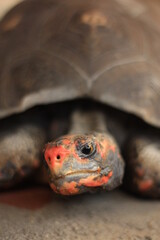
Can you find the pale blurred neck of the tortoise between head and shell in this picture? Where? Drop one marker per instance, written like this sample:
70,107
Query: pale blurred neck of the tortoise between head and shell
83,122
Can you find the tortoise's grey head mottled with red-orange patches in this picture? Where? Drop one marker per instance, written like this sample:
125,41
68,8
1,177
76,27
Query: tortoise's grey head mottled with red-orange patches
81,163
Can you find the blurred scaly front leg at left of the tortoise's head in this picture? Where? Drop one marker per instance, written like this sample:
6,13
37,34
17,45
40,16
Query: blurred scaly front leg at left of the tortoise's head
21,145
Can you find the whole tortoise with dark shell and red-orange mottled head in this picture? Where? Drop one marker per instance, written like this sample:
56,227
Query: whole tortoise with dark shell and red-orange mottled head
83,76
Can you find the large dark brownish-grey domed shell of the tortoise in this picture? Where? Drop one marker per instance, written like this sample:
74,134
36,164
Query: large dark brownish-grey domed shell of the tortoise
53,50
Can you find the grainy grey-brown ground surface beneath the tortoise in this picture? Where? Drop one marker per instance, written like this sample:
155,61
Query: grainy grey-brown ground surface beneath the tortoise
101,216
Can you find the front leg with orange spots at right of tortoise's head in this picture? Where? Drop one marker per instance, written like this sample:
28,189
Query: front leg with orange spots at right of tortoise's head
142,175
